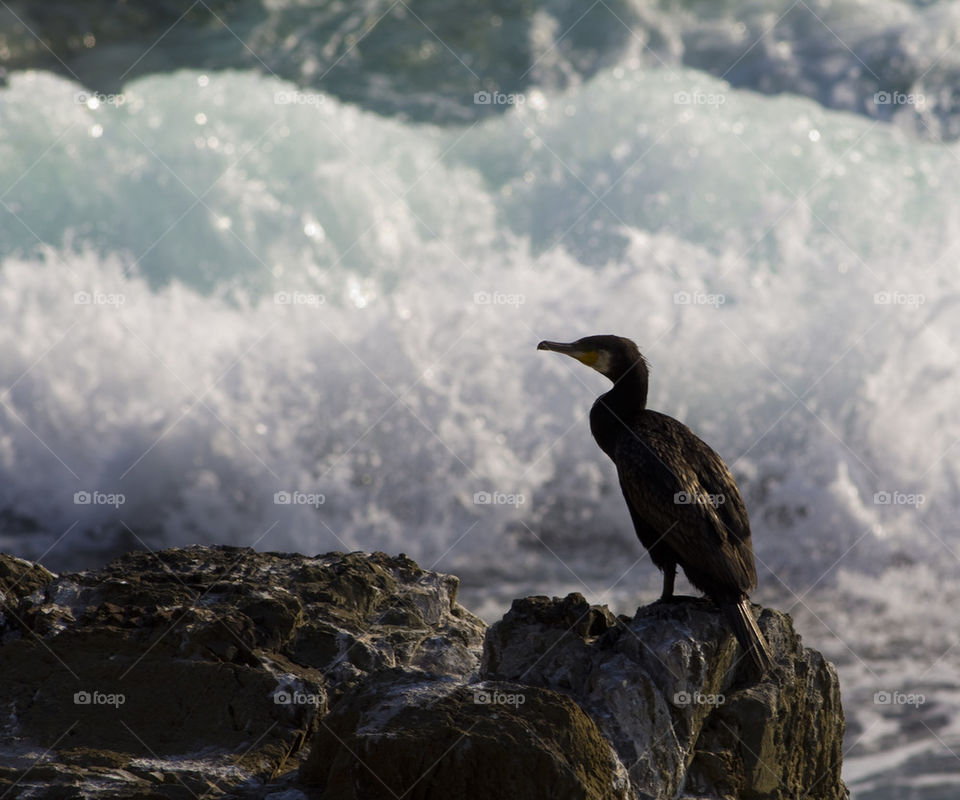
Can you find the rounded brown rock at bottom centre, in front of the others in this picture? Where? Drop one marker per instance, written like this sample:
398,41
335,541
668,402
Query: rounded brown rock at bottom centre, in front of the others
406,735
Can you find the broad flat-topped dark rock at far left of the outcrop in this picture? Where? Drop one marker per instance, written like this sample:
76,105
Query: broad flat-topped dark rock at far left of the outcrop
197,668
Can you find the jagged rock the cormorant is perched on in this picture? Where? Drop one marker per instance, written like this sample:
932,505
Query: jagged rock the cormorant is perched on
672,693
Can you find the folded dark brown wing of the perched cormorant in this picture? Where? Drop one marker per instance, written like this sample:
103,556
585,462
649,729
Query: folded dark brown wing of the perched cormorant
687,495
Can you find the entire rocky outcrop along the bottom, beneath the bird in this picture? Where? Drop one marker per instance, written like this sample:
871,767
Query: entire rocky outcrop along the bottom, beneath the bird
229,673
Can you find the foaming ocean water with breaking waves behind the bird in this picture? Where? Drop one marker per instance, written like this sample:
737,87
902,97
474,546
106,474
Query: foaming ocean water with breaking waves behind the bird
274,276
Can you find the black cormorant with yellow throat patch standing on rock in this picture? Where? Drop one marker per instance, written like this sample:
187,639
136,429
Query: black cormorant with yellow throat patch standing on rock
684,503
